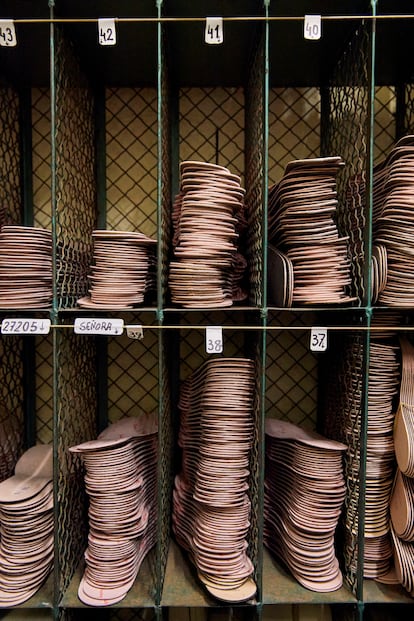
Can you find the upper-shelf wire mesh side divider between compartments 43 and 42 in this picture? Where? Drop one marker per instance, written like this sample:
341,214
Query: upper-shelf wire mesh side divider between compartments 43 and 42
75,175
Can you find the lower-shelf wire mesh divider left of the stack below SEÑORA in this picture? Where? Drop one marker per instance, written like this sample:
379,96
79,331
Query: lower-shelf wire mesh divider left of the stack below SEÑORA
76,408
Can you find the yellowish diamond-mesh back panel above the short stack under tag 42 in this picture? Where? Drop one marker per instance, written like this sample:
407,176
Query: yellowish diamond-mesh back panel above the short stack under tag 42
131,158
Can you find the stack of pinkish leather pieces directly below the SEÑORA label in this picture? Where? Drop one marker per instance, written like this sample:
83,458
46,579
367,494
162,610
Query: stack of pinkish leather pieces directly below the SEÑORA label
120,481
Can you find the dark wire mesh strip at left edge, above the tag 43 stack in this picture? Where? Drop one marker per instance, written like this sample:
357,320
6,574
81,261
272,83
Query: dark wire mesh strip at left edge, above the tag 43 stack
10,157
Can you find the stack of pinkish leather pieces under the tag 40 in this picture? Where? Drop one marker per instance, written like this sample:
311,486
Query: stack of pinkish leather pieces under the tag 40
302,226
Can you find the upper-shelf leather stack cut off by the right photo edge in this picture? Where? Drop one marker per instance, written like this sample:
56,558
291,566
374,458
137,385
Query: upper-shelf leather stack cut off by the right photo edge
393,225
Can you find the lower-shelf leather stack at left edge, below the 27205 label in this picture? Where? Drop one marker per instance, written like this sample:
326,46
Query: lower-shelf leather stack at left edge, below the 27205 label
26,526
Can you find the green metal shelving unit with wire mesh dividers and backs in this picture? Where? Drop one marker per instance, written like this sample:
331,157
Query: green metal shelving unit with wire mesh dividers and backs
91,137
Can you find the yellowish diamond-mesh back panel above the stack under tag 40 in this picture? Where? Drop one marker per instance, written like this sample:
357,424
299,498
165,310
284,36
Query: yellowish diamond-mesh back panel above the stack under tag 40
294,127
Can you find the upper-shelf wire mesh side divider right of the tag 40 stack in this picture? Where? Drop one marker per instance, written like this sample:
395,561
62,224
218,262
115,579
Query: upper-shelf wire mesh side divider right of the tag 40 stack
347,132
